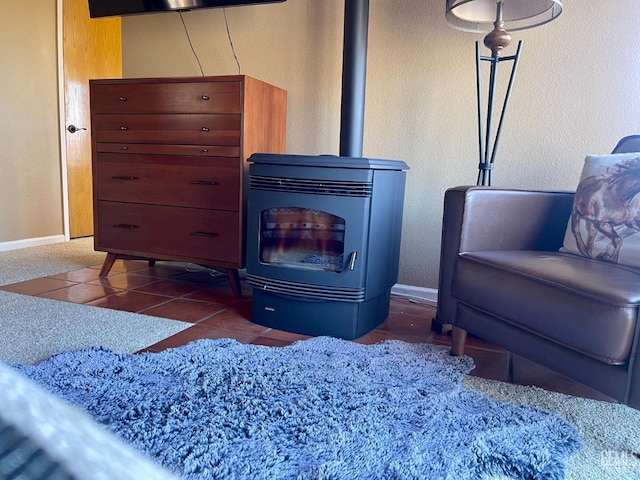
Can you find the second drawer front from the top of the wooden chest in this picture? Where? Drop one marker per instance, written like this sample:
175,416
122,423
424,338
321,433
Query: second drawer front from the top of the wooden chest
168,129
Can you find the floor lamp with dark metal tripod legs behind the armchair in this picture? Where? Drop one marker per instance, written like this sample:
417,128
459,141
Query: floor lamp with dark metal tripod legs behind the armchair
496,17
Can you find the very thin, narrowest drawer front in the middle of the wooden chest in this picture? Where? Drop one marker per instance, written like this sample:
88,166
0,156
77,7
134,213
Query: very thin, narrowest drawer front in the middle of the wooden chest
159,149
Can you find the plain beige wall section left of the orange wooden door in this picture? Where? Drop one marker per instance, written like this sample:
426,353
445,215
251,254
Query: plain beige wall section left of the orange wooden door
30,172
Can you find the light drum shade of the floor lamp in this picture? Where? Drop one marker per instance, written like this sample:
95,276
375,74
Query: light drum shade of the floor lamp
479,15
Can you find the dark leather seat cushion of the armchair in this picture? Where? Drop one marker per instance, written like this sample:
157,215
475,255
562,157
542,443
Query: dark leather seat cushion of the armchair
558,296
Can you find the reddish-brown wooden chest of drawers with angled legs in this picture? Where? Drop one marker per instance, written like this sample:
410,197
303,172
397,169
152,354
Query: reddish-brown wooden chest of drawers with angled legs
169,166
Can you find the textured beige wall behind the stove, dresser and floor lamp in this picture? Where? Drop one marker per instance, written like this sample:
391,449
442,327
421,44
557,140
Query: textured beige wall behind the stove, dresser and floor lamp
576,91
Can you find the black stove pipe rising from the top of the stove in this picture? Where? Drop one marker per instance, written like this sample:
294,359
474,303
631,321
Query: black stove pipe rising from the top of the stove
354,77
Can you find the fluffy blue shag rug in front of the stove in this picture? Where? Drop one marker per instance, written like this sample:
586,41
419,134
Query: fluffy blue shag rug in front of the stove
322,408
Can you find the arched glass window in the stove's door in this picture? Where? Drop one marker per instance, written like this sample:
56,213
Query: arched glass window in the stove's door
302,238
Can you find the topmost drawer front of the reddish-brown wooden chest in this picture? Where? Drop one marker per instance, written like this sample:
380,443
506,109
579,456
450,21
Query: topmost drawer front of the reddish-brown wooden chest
200,97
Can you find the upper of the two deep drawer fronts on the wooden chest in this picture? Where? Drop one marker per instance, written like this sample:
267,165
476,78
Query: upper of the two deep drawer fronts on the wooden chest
167,181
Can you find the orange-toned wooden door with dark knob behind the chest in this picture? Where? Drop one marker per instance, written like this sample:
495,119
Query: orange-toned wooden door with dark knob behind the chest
92,48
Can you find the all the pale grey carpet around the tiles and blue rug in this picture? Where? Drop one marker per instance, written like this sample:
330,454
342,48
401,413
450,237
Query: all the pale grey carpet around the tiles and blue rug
610,432
